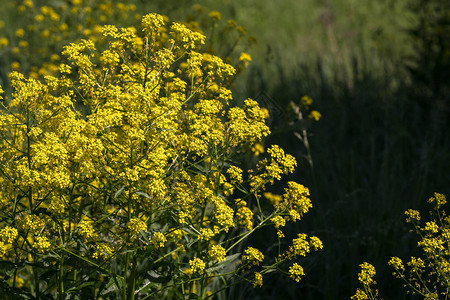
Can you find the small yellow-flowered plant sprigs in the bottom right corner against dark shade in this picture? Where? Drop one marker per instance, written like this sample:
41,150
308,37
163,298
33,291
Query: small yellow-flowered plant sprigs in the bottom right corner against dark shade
429,275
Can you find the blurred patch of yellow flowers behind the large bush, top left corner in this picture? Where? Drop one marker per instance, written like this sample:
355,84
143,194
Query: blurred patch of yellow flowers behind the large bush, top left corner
44,28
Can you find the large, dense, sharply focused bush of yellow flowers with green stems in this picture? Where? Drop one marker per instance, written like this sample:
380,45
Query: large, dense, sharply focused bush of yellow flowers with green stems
120,169
